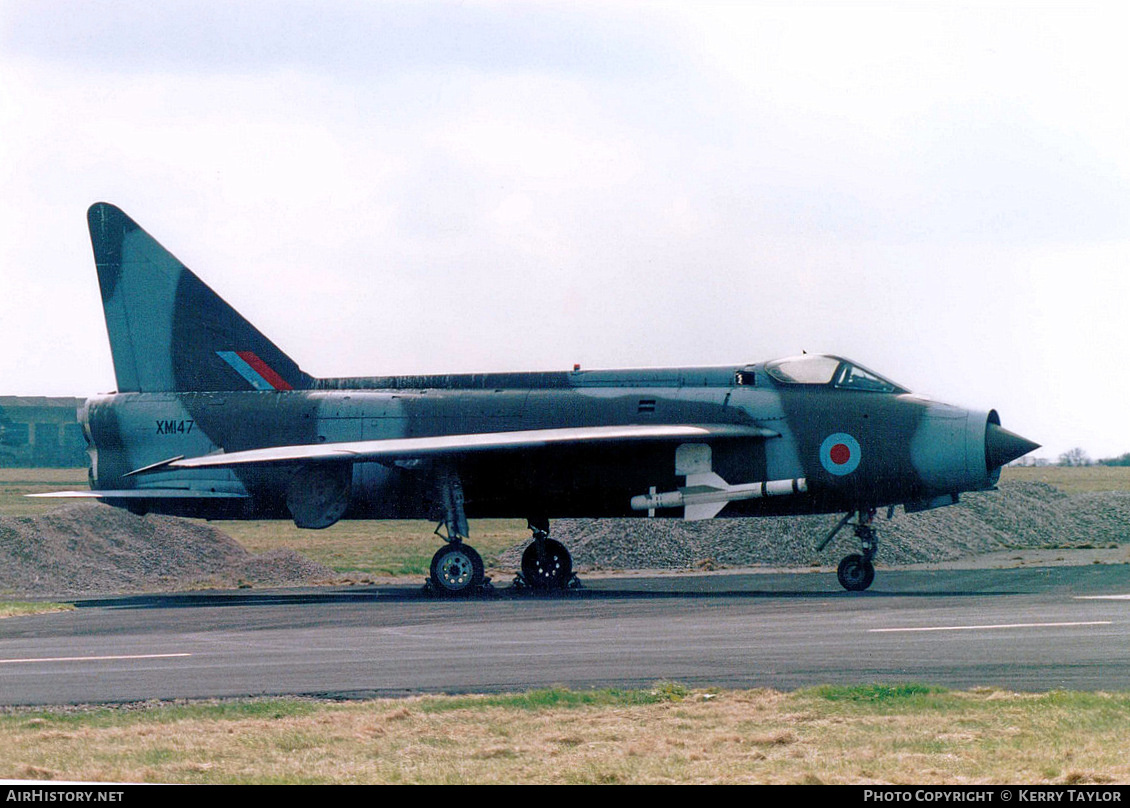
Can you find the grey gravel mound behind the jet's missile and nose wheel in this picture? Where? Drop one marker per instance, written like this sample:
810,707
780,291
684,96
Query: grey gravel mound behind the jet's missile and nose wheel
1020,516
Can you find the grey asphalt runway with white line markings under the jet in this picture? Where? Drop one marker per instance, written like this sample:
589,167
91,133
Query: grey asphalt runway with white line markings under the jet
1033,629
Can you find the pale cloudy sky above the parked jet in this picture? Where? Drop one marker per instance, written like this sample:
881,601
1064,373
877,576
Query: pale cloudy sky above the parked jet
938,190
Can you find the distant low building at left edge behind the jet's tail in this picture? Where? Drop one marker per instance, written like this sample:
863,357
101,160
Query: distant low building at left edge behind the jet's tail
39,431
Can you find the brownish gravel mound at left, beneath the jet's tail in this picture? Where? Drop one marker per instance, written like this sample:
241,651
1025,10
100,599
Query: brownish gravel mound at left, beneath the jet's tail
89,550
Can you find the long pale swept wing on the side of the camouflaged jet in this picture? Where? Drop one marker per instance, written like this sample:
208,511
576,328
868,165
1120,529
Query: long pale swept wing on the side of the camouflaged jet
405,448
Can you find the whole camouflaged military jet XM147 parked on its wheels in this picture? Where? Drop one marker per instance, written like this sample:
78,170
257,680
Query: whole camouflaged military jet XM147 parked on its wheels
212,420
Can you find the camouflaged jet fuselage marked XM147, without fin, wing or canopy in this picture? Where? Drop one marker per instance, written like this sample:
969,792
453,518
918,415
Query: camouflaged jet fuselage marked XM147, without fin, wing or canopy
908,449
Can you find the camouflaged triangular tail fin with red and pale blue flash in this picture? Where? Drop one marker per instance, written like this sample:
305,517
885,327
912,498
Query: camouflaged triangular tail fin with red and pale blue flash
169,333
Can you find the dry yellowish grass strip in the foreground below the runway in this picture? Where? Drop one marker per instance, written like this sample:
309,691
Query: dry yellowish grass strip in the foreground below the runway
667,735
